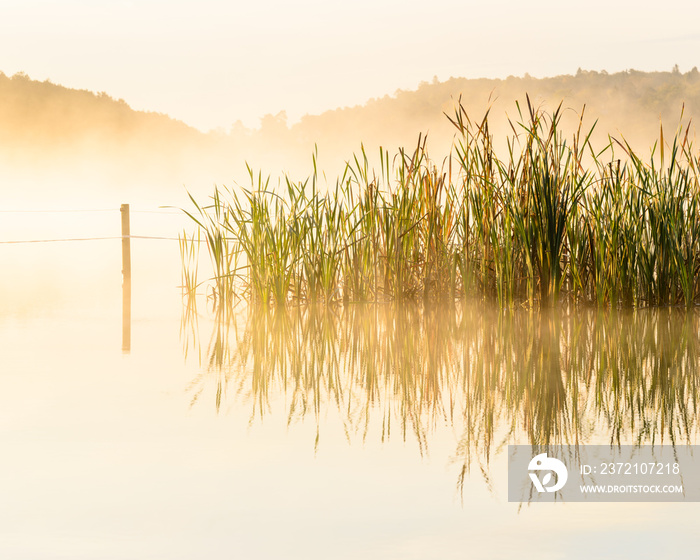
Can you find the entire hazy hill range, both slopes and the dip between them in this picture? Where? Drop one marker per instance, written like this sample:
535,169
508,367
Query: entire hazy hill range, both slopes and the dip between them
45,126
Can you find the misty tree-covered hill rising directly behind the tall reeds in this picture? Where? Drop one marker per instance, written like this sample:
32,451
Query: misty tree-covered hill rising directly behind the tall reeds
629,103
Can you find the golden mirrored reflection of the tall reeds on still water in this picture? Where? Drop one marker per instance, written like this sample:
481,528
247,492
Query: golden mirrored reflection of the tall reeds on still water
493,376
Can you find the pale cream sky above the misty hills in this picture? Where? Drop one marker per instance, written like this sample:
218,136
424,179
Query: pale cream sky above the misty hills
211,63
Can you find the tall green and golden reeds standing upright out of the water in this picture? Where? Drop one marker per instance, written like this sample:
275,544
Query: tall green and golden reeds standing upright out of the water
555,221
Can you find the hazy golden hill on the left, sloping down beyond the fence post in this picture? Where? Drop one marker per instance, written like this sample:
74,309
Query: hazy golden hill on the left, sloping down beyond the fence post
67,142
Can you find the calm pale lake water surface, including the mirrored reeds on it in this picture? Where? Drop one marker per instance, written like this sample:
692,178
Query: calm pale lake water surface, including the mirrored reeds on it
368,432
